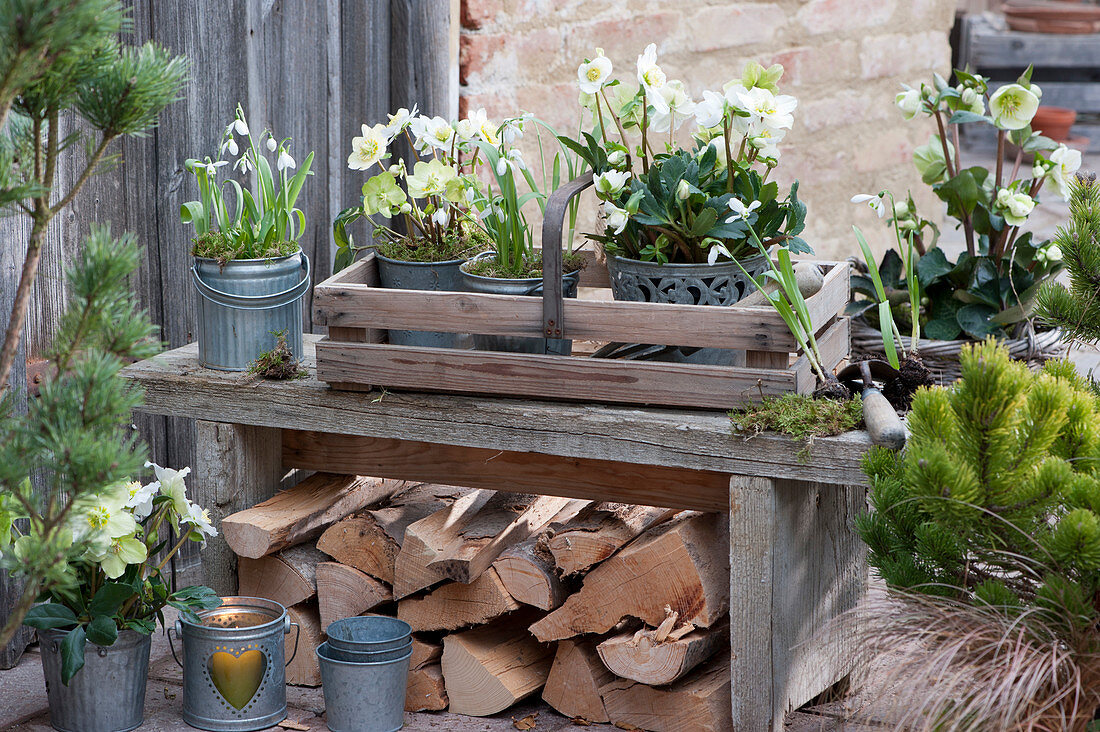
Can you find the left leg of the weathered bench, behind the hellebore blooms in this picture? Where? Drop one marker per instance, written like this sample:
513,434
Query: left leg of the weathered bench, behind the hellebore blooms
237,467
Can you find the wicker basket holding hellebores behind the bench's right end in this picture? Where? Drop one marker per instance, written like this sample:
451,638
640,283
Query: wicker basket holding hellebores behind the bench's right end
942,357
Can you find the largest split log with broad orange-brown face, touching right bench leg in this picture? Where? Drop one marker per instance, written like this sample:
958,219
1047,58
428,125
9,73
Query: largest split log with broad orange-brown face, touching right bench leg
683,564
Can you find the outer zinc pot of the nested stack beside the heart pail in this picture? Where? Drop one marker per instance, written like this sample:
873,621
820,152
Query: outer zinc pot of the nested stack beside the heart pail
364,697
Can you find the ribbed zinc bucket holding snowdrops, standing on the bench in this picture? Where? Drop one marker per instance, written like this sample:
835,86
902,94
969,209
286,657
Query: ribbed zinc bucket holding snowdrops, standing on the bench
244,304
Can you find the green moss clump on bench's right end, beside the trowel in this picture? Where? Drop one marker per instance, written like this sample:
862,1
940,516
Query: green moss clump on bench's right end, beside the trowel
801,417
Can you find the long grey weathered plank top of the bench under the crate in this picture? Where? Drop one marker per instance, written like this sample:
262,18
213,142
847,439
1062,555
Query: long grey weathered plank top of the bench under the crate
702,441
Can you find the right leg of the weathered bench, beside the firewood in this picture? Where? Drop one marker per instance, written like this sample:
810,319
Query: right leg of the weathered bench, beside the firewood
796,565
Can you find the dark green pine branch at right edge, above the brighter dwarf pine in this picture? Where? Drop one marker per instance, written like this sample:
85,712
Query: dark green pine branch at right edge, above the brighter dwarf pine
1076,310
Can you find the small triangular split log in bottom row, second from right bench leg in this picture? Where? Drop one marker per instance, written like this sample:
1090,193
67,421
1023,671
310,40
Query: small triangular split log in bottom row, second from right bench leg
575,682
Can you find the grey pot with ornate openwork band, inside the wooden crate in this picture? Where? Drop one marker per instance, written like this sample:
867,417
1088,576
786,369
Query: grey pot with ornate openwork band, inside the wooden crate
721,285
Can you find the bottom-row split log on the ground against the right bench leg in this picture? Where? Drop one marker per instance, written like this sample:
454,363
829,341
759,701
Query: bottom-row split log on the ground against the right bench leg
699,703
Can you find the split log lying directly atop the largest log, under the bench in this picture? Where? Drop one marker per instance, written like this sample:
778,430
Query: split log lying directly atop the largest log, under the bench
600,531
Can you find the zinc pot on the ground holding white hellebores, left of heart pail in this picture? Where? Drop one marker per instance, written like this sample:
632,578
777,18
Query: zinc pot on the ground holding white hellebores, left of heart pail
108,695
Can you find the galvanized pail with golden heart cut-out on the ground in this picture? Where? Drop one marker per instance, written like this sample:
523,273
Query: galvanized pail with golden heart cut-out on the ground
235,674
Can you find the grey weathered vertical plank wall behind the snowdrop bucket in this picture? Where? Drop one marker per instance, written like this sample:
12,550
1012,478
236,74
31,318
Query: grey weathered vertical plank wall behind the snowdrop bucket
311,70
